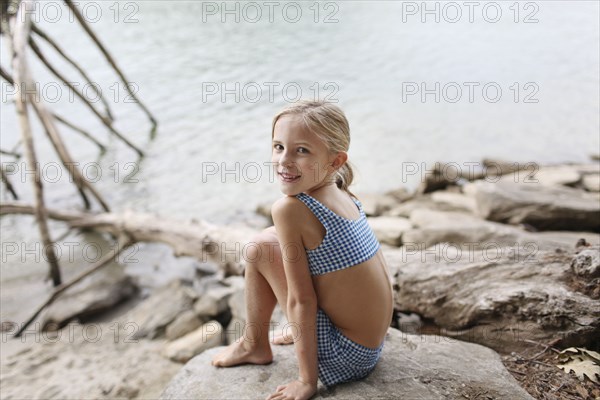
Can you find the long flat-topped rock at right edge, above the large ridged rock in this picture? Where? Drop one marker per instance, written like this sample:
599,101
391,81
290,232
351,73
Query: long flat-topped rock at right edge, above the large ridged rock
545,208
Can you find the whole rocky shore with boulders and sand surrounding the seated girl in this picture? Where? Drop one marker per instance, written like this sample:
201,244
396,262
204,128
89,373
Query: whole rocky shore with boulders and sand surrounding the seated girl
485,268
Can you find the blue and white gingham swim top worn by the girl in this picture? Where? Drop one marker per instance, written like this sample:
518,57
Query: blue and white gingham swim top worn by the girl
346,242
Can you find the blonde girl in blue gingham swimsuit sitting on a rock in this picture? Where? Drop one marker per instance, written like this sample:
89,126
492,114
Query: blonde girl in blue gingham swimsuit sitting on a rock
320,260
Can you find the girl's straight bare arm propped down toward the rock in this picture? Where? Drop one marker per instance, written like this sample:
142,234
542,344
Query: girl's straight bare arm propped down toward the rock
301,299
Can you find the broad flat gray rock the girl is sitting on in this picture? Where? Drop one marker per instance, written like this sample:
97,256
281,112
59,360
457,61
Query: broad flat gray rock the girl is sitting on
411,367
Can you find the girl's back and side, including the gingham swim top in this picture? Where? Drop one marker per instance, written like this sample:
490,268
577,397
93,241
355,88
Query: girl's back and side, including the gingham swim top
357,298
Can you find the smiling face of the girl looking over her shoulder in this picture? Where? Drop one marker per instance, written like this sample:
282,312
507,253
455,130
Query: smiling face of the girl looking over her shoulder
302,161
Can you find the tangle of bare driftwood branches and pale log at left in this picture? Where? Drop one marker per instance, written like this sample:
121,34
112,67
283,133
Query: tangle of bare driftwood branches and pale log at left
199,240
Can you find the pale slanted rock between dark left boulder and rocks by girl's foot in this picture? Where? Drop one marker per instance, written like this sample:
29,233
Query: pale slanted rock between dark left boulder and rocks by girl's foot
154,314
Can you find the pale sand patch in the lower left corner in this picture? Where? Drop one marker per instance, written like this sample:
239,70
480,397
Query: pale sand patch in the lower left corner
88,361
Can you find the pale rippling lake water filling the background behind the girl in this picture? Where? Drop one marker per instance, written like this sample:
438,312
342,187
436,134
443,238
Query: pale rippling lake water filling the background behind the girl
515,81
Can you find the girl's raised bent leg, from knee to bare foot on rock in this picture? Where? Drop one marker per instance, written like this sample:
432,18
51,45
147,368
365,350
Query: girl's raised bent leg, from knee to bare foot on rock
265,285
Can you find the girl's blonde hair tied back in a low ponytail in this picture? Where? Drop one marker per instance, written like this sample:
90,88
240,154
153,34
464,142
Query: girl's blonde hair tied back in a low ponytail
328,122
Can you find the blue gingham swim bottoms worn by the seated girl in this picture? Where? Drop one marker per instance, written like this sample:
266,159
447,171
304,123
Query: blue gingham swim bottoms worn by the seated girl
341,359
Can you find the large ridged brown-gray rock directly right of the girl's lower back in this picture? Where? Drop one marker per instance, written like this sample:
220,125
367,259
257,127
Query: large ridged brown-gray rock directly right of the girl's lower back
498,298
